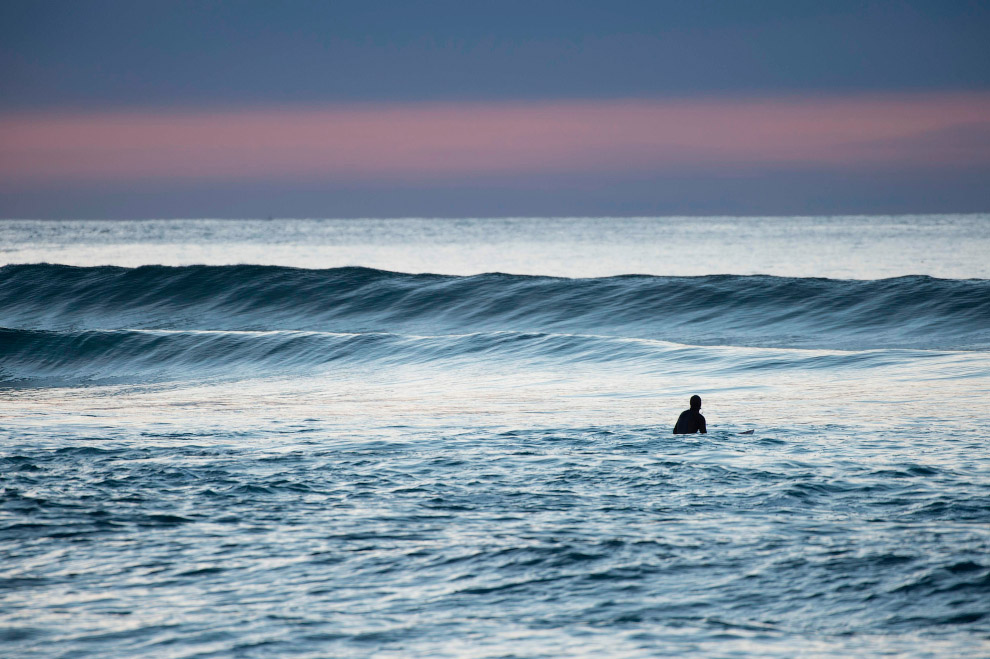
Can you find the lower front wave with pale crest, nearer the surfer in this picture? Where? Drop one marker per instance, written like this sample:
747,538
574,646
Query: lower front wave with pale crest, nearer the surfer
39,357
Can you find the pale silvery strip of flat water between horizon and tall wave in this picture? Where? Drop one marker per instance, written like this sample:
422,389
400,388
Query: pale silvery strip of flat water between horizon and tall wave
845,247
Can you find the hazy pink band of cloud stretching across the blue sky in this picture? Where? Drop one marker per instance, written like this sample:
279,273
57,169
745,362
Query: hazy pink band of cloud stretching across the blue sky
456,141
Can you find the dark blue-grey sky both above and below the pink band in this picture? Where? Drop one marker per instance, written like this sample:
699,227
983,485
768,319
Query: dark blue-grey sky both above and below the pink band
167,56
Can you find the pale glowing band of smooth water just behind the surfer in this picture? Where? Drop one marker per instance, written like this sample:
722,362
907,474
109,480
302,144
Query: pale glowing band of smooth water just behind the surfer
434,396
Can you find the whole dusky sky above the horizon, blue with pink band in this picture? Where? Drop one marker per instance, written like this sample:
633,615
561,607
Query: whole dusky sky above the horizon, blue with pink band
334,108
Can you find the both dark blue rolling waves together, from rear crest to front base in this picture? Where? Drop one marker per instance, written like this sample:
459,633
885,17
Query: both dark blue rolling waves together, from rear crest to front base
70,325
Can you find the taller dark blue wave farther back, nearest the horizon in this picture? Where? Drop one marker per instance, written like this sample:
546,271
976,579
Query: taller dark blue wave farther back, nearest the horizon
760,311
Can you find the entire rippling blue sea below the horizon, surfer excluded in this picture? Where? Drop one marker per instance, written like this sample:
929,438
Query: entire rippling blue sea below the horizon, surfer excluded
411,438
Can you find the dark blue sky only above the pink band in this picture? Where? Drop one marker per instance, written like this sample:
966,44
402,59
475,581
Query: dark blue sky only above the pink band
98,53
